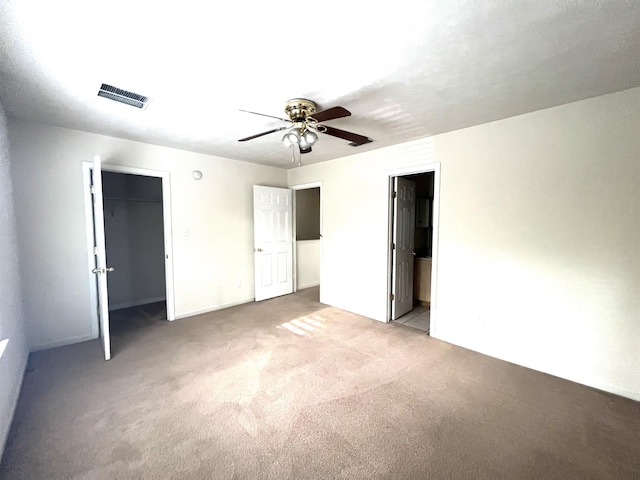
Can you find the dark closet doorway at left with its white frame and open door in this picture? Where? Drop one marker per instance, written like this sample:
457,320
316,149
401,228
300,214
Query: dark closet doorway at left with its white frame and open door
136,209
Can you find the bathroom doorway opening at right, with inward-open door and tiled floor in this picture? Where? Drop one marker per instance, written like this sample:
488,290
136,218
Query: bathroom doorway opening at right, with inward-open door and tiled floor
413,206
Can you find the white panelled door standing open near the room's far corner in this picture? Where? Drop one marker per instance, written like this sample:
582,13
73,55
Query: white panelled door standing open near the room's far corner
273,241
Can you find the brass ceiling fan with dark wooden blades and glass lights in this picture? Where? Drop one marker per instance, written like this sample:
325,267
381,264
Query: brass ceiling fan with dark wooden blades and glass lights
304,123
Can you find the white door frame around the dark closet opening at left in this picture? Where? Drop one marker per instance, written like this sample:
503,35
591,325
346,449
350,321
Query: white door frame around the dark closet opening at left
168,238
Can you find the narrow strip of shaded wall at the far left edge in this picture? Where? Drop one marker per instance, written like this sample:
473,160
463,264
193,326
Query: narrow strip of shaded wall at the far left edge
13,343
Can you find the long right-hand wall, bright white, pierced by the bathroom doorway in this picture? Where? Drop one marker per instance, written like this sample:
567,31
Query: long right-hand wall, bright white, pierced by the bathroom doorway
538,259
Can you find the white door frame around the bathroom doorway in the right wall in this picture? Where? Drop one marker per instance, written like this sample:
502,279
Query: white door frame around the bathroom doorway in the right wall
401,172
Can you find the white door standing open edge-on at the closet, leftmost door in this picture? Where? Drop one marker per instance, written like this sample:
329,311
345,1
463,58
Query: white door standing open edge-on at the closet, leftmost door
100,255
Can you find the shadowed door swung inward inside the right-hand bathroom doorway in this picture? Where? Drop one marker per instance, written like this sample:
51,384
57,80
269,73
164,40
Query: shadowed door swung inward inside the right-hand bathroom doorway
404,217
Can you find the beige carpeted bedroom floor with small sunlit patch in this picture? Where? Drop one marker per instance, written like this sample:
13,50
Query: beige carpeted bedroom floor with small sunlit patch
292,389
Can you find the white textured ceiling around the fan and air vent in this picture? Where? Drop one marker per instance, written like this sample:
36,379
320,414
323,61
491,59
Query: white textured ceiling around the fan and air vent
405,70
